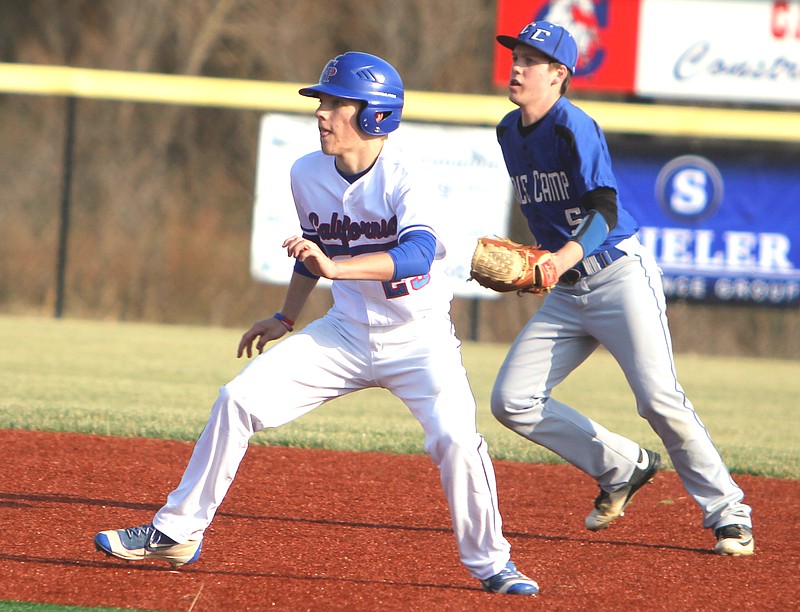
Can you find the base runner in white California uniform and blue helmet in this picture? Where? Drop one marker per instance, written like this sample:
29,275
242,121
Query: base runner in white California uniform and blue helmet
366,226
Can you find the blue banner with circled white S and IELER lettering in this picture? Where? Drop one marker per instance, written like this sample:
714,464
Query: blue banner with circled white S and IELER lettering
723,227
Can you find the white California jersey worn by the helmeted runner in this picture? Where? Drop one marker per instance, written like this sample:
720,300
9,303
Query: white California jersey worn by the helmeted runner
369,216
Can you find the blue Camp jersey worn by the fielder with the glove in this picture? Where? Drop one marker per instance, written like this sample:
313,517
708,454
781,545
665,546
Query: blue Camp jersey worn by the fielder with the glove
553,164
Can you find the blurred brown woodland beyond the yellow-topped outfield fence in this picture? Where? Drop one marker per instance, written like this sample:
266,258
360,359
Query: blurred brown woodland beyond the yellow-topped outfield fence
163,194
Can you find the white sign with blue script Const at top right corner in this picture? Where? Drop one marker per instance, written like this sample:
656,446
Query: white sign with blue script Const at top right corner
725,50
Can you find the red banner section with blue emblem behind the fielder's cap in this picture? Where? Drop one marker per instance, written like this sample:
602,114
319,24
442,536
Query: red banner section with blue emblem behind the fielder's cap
604,30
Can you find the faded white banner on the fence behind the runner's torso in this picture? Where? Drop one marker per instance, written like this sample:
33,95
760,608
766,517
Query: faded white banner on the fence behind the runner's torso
470,192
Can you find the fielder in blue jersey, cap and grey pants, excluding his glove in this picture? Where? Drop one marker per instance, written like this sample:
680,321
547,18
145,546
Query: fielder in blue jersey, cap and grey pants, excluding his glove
609,294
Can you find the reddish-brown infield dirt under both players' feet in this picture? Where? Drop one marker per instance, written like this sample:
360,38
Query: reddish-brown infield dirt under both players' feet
332,530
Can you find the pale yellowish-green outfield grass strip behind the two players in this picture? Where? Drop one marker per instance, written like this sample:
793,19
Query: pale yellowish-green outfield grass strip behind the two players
131,379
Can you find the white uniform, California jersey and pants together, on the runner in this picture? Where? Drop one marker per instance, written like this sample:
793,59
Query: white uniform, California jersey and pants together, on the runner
395,335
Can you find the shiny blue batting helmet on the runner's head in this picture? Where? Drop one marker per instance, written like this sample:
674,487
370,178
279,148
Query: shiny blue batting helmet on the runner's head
368,78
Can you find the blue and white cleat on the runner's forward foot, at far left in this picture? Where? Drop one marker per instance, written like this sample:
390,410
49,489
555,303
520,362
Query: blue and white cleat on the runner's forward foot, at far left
147,542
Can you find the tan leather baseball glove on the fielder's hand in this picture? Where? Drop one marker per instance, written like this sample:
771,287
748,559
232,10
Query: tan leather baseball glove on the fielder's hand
503,265
